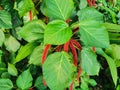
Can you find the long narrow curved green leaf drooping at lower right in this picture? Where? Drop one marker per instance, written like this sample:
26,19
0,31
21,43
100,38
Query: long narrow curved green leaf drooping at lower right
111,64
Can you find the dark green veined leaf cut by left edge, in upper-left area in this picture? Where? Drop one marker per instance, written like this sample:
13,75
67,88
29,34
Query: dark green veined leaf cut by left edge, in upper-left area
5,19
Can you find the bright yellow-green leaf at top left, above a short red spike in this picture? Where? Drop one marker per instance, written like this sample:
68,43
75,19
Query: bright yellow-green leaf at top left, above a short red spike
23,6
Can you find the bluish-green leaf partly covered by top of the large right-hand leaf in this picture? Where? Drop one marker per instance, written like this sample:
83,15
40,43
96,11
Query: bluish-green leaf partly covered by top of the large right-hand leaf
89,14
